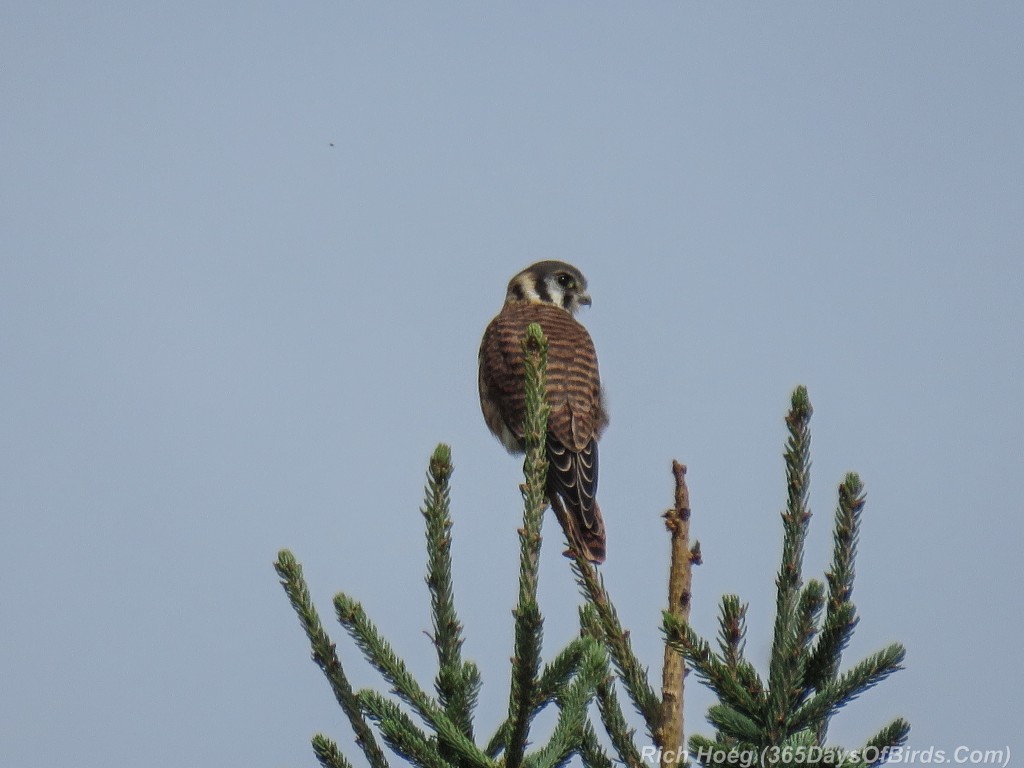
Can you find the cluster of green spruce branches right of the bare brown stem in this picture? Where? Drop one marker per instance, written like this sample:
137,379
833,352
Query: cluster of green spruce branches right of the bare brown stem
785,719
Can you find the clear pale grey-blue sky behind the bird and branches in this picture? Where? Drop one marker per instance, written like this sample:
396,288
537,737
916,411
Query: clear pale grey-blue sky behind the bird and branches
248,251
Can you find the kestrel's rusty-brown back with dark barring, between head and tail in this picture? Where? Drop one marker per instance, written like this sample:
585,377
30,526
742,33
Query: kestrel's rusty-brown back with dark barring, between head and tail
574,390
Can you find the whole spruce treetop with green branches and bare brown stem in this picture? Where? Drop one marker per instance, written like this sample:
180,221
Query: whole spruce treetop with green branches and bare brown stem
439,730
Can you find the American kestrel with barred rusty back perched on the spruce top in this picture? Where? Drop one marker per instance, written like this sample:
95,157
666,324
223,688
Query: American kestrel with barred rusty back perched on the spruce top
549,293
